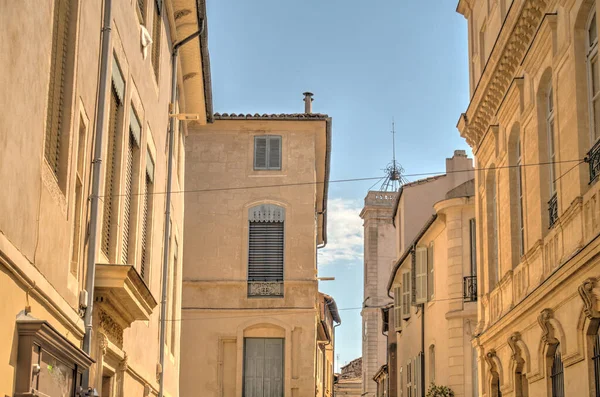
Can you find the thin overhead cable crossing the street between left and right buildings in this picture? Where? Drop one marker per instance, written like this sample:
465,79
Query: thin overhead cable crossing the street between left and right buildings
374,178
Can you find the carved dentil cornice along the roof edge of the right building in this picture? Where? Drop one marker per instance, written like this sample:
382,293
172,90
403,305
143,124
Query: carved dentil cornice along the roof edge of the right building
503,62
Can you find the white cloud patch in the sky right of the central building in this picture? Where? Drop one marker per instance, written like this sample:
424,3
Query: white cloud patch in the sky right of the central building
344,233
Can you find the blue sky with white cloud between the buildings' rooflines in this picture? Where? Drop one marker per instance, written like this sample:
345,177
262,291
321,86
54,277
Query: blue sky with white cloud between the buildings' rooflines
366,62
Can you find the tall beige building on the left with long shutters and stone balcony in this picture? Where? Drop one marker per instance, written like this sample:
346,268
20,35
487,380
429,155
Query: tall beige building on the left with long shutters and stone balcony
49,73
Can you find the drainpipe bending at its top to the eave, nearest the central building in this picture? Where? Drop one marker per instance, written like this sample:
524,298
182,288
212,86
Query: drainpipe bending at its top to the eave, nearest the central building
165,266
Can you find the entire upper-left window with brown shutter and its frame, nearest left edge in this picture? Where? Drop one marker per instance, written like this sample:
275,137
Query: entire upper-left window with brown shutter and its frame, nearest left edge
60,87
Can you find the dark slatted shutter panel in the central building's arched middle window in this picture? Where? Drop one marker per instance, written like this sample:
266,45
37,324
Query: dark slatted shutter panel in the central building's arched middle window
265,257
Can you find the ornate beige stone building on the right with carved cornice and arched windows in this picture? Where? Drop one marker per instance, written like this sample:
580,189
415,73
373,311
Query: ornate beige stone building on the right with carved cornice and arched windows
532,120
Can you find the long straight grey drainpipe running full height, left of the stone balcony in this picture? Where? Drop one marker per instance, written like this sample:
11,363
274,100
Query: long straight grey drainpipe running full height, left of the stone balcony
94,197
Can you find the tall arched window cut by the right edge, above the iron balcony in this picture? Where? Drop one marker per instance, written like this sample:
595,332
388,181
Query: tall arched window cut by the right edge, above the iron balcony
593,77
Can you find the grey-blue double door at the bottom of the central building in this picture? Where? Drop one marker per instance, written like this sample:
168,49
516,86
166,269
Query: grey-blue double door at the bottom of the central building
263,367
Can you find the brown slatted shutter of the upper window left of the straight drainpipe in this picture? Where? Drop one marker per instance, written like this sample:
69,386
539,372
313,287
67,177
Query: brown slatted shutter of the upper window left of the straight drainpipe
55,114
